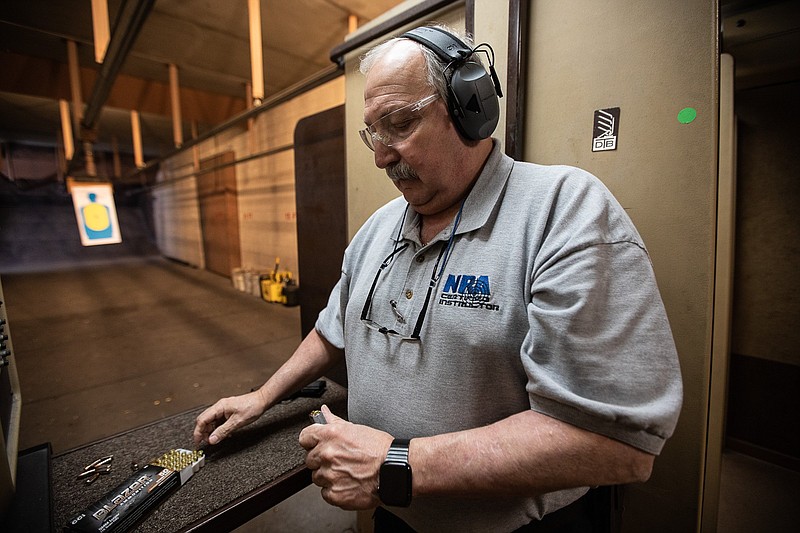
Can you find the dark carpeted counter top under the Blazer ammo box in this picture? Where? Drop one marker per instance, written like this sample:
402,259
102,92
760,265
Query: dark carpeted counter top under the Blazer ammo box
261,458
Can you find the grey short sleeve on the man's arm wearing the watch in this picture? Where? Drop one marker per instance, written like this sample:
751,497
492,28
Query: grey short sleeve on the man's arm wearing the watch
600,353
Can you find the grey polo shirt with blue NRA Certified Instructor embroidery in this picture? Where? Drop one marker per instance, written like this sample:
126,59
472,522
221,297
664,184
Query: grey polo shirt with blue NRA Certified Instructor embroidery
547,301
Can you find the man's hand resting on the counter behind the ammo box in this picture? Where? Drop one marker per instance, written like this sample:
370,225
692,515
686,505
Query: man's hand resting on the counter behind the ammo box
227,415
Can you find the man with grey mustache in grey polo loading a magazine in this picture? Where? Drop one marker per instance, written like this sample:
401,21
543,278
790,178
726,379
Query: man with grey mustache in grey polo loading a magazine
503,316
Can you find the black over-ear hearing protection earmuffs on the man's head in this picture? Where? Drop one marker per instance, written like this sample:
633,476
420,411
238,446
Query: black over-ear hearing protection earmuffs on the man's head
472,92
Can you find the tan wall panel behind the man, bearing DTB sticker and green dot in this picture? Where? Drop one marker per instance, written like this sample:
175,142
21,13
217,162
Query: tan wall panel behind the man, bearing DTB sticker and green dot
651,59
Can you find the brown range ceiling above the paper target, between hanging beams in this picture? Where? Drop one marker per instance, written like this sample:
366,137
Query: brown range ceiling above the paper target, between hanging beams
207,40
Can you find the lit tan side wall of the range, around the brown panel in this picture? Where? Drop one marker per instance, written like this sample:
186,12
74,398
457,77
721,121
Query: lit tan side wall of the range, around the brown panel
265,187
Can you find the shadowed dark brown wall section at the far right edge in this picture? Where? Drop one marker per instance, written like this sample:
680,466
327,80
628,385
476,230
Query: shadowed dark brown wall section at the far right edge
767,287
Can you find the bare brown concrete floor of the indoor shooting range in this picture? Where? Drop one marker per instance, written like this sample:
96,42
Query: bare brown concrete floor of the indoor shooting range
104,348
